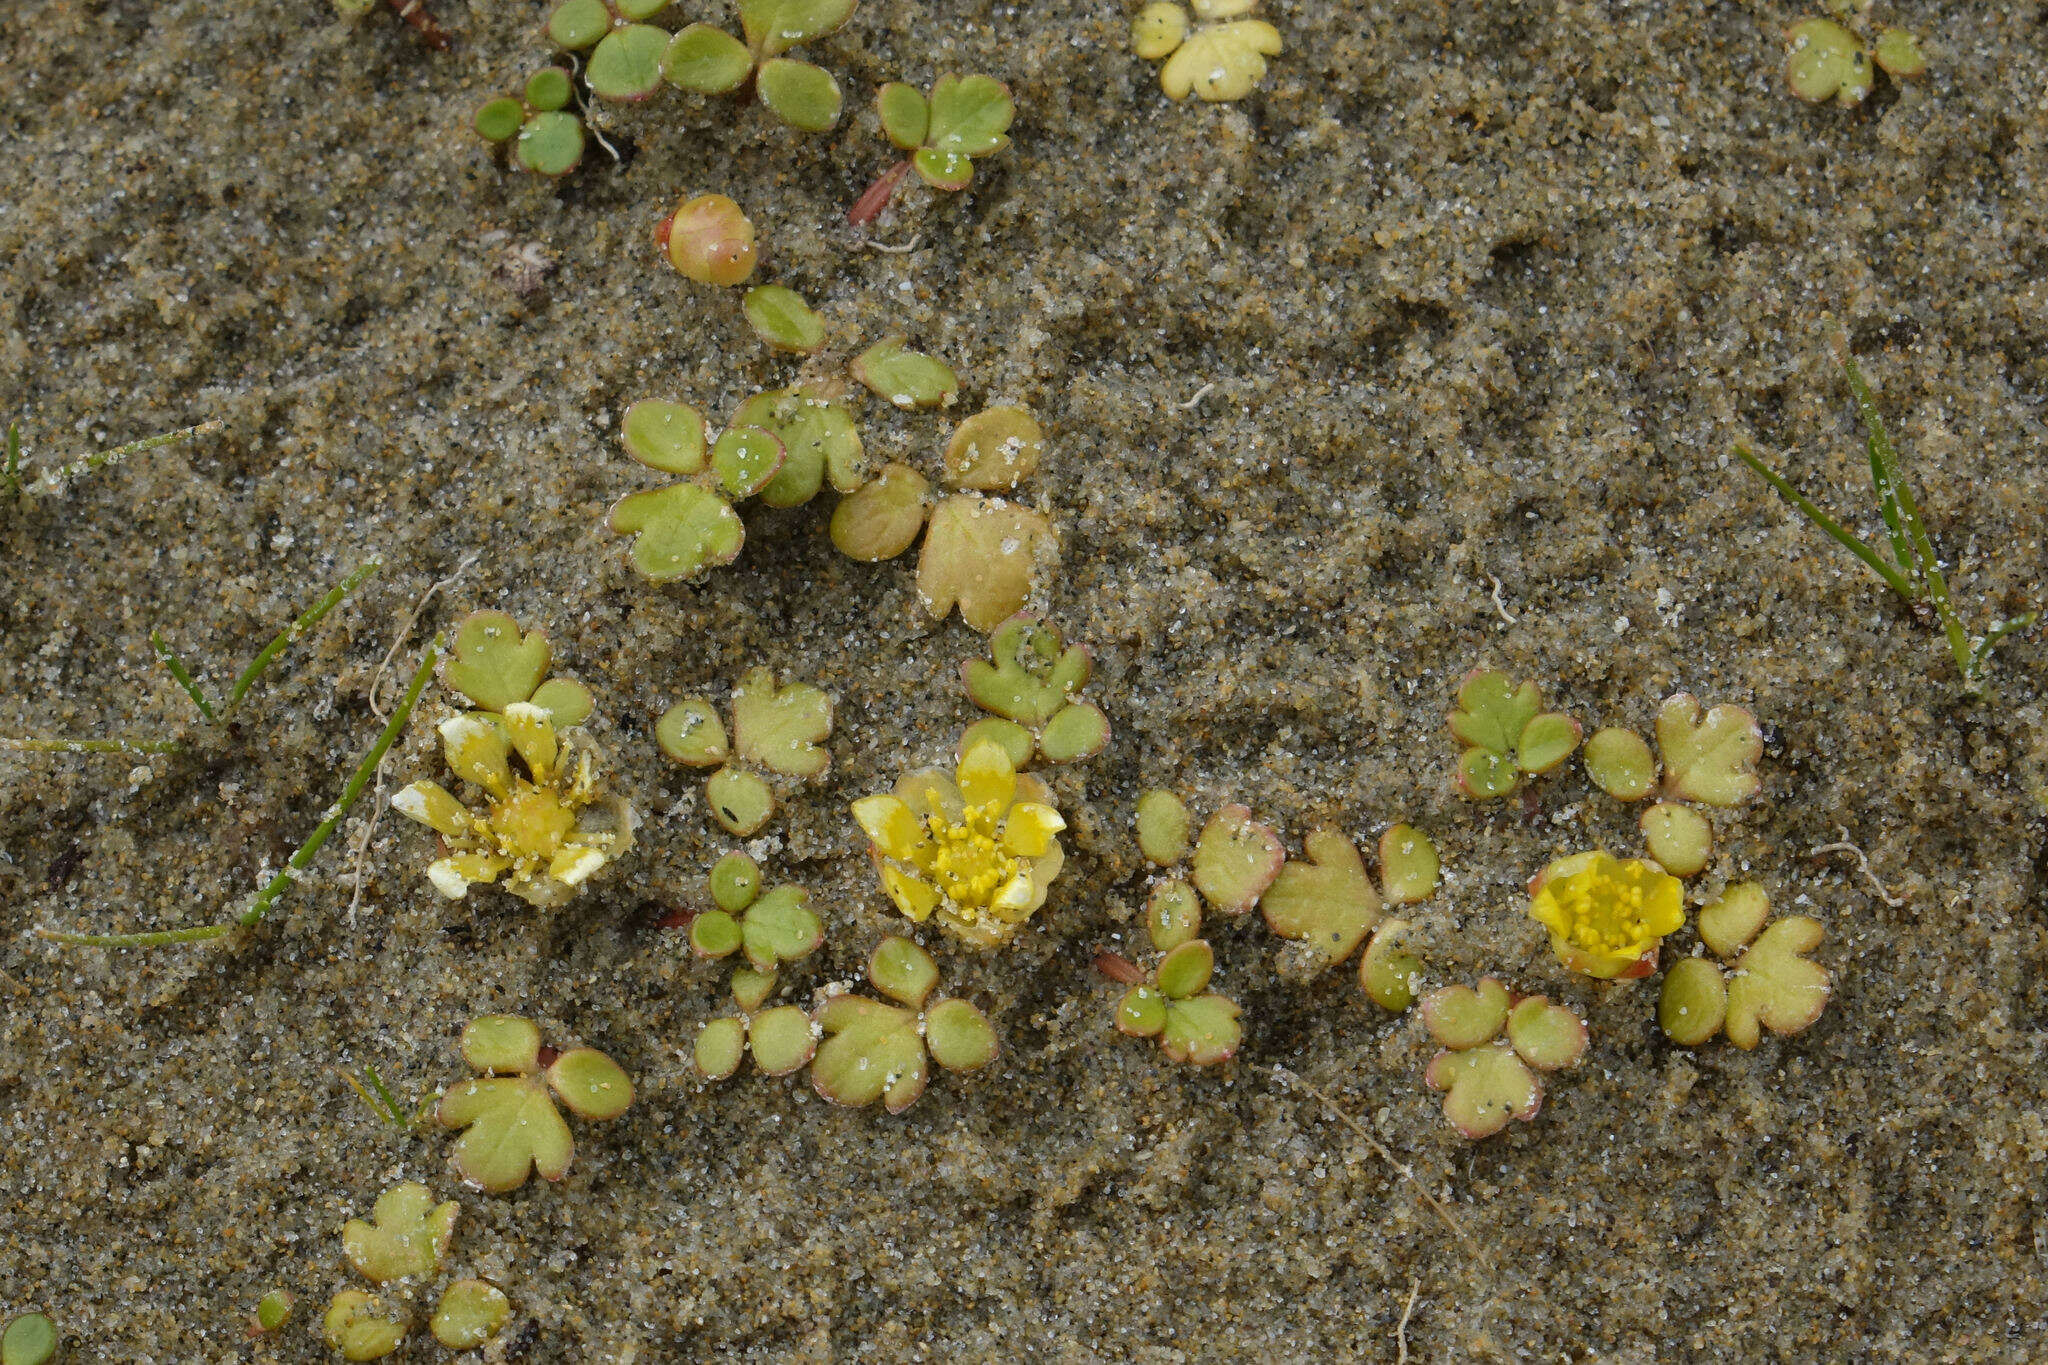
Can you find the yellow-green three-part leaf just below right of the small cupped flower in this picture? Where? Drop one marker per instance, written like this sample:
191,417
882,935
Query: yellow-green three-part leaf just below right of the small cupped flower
1773,985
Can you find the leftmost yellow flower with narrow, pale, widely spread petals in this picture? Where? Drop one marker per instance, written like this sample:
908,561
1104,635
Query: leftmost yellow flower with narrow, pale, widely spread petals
542,834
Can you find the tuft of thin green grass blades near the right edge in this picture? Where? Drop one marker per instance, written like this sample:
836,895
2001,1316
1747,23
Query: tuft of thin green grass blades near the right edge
1914,572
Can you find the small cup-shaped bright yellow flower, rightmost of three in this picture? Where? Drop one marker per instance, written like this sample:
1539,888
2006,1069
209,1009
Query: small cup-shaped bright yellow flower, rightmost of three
1607,916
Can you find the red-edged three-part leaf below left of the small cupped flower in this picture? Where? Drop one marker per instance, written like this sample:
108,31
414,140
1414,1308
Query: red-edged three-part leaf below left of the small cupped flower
1494,1080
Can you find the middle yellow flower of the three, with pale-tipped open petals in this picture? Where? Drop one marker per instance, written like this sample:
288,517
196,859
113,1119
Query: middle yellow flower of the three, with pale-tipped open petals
978,850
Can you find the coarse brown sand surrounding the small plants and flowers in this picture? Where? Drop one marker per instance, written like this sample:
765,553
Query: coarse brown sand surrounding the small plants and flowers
1476,298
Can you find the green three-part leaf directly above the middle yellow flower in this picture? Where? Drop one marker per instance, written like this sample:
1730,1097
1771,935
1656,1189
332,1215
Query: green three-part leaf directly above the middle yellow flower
1031,682
